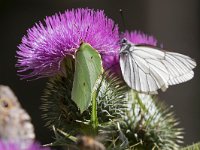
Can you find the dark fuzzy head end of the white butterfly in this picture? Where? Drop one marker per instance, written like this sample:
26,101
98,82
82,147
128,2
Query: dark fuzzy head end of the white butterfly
125,46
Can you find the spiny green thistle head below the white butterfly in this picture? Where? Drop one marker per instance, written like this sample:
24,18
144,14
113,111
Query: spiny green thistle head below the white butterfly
147,124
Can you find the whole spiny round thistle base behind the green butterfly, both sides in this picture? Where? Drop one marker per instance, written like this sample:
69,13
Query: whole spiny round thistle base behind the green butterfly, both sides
60,111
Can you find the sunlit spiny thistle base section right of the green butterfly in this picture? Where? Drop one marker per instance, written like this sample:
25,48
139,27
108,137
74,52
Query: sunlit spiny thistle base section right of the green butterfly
111,102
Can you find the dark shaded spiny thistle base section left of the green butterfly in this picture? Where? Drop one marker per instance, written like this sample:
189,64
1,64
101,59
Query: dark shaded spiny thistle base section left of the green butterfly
58,108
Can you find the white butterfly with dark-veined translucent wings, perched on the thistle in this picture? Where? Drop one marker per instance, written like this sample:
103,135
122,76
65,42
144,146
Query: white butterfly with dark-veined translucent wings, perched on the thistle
146,68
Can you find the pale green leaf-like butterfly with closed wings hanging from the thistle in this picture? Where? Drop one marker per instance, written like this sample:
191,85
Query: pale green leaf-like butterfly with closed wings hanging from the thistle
88,68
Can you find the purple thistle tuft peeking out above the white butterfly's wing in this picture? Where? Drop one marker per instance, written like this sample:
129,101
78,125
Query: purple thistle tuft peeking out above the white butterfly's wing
138,37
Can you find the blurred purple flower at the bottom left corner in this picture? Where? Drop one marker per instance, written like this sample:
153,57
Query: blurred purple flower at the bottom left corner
7,145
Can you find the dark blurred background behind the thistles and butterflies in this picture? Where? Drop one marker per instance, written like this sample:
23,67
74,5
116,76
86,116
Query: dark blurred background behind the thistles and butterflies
175,23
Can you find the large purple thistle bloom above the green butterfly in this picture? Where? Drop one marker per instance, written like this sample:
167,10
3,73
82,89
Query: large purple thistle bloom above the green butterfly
45,45
